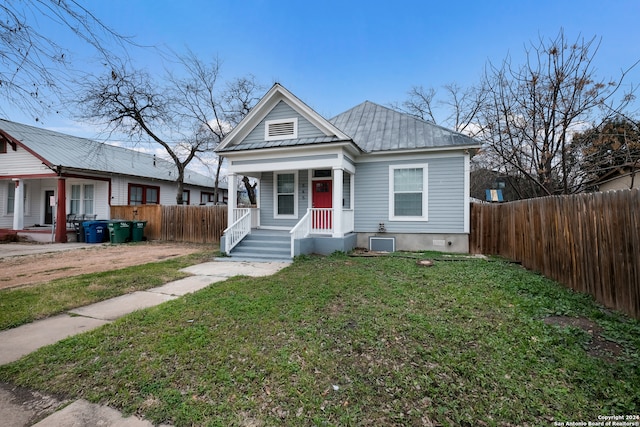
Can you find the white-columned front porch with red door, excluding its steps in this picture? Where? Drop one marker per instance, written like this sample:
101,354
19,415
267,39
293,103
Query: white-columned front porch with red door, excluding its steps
310,197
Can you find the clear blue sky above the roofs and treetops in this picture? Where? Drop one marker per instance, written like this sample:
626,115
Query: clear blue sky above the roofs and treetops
335,54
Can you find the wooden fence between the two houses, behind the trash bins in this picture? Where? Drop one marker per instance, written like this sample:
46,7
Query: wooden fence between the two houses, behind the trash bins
193,224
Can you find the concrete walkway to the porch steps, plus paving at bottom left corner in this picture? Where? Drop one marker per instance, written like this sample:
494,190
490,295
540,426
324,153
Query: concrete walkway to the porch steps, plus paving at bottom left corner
20,408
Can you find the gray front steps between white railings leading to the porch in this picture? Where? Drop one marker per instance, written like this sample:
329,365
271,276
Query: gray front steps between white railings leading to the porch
264,245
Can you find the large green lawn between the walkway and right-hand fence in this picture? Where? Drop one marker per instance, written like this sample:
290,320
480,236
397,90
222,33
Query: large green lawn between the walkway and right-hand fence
355,341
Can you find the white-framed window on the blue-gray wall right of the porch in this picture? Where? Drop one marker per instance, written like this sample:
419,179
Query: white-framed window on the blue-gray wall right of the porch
408,193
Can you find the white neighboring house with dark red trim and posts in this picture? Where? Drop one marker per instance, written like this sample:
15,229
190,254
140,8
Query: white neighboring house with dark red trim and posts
46,176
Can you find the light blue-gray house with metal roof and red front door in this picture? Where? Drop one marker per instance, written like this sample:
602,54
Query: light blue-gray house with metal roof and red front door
370,177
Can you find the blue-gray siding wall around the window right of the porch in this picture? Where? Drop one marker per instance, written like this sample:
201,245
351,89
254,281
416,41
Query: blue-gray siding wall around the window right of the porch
446,197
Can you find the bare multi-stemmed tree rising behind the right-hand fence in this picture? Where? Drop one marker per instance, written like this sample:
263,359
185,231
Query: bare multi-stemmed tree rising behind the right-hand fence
531,111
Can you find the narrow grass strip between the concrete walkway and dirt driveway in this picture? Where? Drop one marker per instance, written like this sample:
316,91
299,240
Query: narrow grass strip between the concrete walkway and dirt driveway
25,304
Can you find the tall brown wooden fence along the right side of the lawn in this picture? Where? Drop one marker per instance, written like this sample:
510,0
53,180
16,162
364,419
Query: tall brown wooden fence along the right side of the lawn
588,242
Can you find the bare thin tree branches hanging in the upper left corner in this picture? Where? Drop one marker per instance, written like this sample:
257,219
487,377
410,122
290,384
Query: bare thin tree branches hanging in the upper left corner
35,70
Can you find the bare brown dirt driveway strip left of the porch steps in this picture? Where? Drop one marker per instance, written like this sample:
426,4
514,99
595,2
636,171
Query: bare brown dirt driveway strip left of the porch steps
41,268
